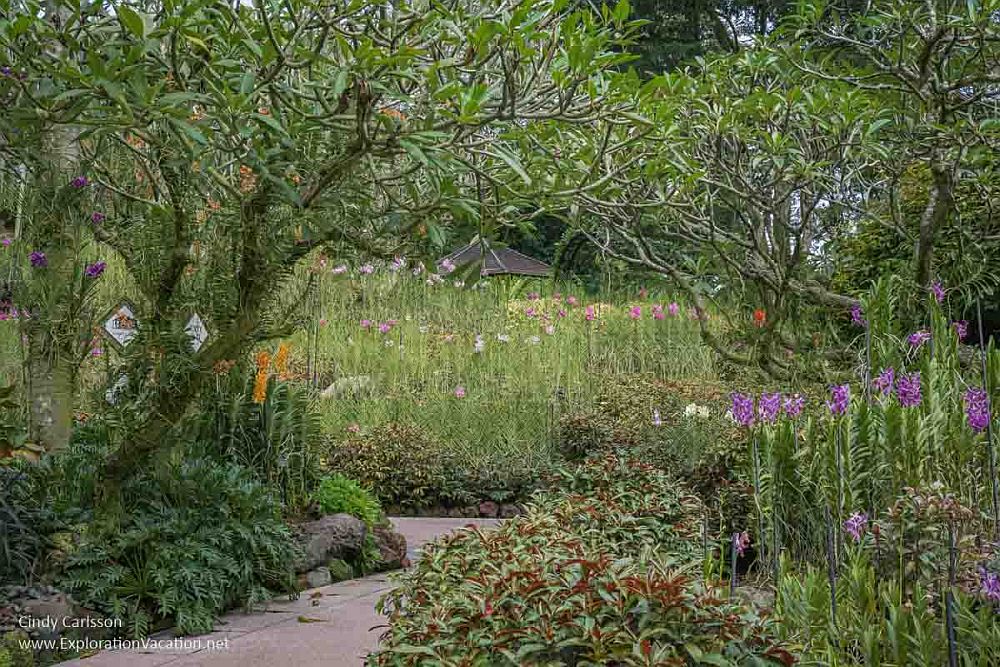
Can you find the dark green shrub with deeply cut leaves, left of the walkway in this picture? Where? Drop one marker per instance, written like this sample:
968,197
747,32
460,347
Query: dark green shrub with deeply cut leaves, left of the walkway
200,538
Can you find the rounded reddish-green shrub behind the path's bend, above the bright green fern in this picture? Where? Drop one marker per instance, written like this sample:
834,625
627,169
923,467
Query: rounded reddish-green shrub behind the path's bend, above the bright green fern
401,464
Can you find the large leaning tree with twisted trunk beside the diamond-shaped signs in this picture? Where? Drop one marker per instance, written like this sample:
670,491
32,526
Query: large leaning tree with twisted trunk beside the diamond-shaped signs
226,144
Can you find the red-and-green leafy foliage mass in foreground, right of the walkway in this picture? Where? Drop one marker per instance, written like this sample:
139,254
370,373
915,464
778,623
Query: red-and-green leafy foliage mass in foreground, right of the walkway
592,574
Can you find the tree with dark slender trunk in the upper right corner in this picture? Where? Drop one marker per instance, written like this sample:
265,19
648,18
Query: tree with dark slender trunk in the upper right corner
934,66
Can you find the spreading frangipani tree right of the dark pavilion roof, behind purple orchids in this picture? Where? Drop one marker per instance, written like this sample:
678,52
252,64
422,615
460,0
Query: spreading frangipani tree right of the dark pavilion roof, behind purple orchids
733,172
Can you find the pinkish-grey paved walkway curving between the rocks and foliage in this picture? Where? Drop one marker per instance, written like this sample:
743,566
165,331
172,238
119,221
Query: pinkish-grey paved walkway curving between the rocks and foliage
333,626
